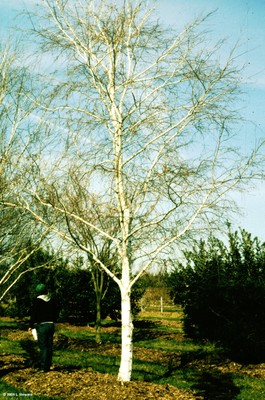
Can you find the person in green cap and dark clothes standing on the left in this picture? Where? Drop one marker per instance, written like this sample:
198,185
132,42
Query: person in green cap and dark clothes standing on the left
43,316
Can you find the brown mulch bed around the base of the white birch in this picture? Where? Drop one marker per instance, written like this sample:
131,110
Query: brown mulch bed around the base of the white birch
89,385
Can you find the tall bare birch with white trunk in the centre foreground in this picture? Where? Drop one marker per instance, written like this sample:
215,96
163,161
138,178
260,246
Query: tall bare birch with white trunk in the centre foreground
146,117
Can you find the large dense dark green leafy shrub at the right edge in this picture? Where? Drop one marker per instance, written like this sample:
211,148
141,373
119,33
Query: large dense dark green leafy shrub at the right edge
222,290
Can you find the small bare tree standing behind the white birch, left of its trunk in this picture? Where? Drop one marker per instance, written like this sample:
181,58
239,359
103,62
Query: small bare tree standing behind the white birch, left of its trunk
76,197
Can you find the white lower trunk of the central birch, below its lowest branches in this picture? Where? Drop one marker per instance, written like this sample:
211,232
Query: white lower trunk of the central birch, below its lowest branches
126,342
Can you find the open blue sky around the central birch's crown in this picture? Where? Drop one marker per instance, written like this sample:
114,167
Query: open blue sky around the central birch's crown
235,20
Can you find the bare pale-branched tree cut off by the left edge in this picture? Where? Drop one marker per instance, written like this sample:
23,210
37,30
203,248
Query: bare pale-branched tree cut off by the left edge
20,235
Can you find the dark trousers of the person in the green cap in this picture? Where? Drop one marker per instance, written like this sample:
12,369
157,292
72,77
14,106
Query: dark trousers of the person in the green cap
45,341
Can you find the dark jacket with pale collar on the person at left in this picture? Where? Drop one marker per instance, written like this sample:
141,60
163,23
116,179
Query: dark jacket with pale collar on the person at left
43,310
